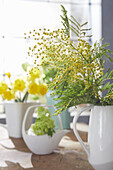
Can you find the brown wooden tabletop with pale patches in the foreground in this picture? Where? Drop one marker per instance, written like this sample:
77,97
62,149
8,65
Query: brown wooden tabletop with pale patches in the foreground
69,155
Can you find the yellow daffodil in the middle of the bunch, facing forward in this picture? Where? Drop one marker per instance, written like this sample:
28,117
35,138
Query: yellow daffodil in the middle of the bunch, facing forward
19,84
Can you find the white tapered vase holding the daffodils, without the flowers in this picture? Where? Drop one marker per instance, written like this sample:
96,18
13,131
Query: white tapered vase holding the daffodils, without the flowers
14,117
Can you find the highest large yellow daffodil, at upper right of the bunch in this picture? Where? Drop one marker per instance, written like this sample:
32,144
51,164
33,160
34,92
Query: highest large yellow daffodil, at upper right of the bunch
33,74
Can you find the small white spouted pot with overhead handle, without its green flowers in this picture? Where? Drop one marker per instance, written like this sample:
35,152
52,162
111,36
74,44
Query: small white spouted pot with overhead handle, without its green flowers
42,144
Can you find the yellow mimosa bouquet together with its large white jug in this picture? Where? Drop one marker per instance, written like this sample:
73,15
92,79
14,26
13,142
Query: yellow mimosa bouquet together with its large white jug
81,79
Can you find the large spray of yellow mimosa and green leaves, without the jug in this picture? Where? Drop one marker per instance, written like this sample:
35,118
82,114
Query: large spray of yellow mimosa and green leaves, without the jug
75,68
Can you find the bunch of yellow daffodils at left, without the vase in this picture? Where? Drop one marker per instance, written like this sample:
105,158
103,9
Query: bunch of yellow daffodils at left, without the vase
18,90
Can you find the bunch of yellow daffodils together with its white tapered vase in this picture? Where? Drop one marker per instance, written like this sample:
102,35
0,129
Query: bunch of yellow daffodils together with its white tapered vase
16,95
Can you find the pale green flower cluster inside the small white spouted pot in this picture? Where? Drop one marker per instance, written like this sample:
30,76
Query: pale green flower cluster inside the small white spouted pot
44,124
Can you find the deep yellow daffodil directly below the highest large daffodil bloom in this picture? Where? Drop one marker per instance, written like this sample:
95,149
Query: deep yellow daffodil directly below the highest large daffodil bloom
33,88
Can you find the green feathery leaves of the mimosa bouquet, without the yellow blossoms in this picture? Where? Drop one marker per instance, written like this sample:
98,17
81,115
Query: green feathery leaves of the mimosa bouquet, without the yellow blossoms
74,93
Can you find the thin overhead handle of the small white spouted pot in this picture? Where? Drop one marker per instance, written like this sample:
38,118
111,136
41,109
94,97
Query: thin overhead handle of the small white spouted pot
34,106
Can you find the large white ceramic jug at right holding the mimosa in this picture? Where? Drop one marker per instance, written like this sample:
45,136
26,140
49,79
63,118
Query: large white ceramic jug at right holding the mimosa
100,136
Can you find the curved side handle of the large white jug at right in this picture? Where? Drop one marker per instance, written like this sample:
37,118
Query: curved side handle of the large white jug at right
75,129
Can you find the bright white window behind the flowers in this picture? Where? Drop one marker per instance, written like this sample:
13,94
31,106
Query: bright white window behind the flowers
20,16
